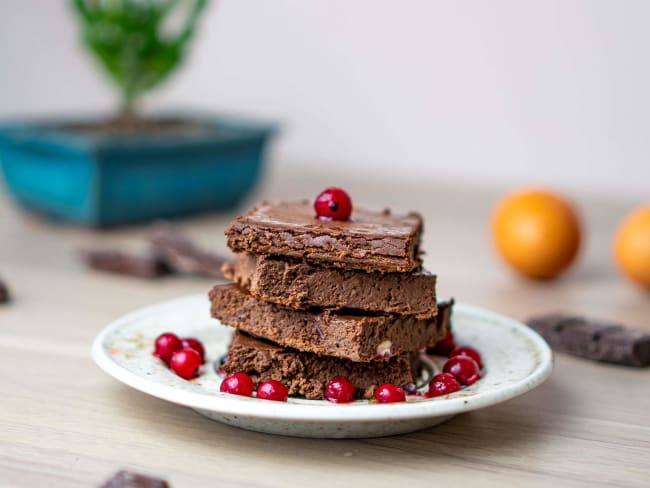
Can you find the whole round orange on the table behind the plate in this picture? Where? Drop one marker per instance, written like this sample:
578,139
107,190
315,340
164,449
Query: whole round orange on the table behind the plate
537,232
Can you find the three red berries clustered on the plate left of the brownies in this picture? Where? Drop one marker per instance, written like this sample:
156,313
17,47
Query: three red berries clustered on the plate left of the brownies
183,356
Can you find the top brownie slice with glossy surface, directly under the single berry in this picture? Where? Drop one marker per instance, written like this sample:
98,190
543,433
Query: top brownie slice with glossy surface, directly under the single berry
372,241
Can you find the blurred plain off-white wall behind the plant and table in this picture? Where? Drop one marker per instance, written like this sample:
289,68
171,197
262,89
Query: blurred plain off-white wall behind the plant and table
498,92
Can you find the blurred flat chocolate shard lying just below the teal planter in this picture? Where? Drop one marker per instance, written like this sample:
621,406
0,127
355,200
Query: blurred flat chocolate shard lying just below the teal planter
140,266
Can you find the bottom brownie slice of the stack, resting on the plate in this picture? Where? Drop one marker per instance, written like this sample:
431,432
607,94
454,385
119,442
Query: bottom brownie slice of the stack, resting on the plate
306,374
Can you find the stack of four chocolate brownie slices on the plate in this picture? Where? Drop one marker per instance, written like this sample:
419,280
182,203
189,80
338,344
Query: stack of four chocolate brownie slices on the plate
316,299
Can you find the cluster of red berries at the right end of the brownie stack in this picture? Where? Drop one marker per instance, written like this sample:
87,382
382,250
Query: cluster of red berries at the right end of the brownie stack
463,368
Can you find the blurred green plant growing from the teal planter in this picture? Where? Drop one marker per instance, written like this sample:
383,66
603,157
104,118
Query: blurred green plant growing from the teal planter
136,42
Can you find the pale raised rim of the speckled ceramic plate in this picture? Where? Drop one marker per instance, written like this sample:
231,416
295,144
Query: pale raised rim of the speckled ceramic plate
323,411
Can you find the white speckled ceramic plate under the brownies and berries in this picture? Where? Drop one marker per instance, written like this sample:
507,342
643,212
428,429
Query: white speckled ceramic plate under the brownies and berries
516,360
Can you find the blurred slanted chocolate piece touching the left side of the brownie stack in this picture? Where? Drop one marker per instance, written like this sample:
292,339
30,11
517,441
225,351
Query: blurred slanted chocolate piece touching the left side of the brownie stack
182,255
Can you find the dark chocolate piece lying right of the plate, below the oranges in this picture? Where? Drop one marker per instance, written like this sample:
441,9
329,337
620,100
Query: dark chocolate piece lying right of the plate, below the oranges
591,339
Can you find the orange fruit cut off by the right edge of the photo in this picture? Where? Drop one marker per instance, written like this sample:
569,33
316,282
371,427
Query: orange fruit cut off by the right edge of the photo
632,247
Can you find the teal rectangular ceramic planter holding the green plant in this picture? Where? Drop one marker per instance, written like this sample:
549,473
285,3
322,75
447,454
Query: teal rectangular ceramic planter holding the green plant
101,180
